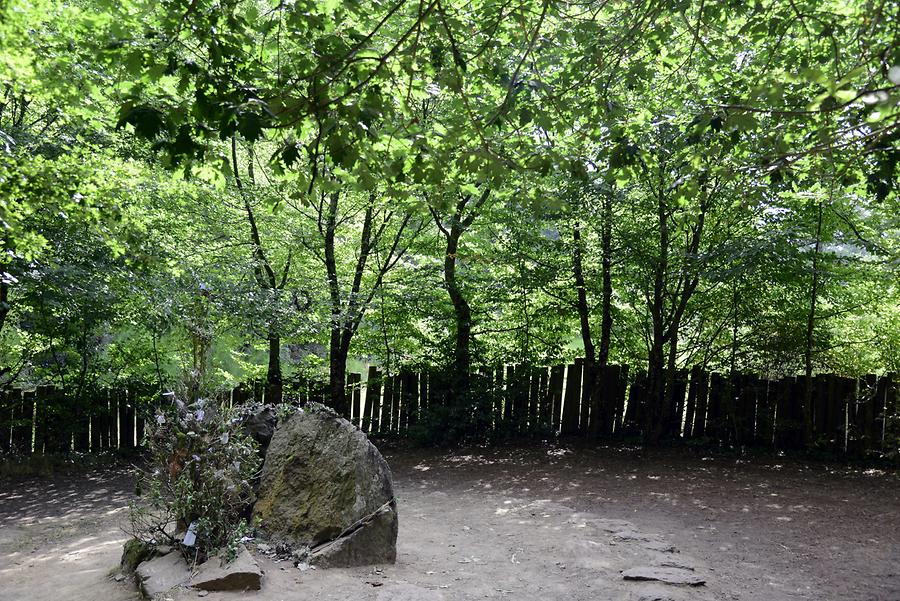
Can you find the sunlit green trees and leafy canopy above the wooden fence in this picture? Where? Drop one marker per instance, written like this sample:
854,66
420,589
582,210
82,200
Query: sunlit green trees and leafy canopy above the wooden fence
210,192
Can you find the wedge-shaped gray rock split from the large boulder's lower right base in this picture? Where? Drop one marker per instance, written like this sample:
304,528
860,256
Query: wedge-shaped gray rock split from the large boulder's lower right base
373,543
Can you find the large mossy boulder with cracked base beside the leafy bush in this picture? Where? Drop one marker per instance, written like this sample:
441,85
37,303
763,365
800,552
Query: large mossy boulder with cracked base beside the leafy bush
326,487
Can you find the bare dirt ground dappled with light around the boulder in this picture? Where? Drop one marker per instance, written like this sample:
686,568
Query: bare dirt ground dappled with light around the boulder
537,524
